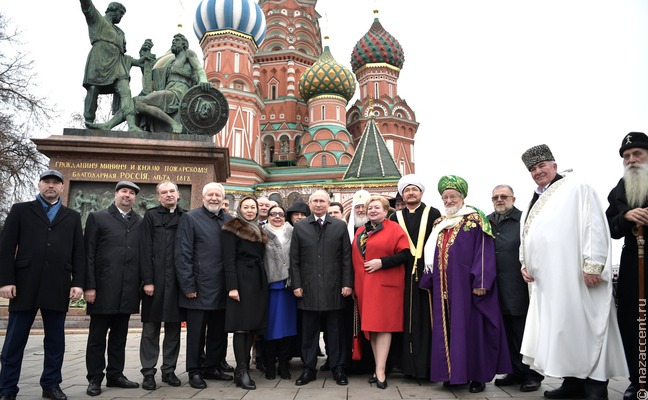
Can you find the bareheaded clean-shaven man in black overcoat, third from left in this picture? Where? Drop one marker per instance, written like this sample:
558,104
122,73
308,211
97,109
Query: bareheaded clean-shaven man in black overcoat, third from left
160,287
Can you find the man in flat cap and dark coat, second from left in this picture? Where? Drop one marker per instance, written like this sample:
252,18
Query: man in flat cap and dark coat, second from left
112,286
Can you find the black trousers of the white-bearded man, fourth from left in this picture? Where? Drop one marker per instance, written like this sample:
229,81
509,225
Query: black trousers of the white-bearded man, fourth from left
205,332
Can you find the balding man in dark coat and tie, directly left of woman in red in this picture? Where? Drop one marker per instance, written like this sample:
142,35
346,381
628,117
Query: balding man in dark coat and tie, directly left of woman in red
322,276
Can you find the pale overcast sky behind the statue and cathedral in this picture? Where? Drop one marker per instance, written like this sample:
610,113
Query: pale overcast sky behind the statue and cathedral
486,79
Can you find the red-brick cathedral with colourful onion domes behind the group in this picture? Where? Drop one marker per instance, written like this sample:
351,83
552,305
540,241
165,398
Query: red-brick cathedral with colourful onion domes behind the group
289,131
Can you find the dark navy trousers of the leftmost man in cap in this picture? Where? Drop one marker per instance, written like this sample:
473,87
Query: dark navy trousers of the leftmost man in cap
17,334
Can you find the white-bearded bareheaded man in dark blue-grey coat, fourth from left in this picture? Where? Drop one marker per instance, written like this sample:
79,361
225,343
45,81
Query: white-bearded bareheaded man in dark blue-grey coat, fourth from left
201,280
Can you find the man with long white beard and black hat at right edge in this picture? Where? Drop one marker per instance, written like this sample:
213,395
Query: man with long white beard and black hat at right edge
627,211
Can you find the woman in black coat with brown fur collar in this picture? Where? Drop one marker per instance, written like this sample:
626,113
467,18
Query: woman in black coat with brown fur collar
247,284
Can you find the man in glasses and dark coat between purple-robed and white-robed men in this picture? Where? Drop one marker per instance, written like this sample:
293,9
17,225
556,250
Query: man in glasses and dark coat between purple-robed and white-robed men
513,291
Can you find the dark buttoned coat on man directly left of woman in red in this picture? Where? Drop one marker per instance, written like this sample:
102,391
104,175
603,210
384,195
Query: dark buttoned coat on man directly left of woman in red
320,263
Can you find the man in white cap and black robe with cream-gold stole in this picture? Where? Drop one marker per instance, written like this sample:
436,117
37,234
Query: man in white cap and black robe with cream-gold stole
411,349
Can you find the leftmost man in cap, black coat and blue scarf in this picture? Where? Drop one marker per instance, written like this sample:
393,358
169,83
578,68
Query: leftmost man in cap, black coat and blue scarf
42,265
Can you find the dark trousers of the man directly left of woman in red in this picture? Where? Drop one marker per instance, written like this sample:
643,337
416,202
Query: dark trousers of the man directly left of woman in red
334,328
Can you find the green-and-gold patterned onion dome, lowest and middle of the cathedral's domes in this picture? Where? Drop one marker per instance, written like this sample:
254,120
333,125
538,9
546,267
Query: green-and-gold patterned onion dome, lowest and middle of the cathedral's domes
327,76
